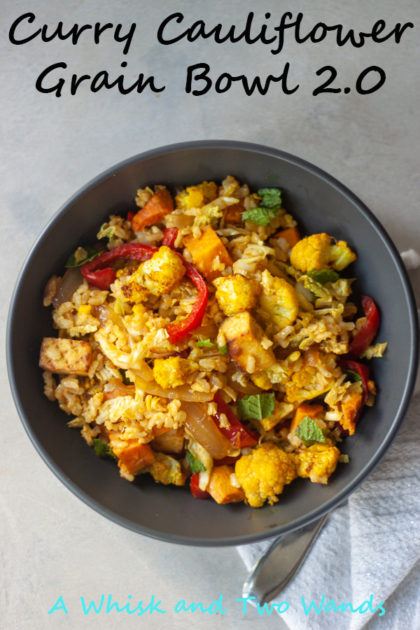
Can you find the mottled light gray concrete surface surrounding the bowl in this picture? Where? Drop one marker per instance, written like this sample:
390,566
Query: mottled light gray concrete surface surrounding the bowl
50,543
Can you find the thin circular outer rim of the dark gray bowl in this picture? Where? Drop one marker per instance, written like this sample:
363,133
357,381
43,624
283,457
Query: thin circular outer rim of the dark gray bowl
341,496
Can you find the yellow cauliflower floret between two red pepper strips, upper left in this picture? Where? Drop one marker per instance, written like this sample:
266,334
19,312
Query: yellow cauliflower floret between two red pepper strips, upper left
162,272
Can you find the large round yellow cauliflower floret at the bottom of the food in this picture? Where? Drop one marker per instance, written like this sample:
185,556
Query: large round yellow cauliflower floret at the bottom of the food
264,473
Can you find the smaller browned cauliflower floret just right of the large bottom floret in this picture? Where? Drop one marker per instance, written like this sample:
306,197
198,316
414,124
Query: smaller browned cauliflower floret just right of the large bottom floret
317,462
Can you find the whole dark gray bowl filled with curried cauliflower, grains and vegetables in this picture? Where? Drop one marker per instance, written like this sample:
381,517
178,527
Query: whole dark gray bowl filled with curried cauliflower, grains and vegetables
228,328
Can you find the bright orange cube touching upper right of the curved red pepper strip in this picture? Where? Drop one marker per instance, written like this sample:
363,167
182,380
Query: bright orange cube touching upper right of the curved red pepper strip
208,252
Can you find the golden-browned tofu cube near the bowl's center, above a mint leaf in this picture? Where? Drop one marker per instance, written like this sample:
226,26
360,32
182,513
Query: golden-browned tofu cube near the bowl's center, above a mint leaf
243,337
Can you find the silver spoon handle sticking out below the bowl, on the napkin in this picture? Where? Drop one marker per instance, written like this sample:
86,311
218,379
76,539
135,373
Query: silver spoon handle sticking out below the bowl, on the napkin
278,565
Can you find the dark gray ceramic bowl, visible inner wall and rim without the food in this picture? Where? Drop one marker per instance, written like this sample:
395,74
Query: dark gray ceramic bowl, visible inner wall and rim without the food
320,203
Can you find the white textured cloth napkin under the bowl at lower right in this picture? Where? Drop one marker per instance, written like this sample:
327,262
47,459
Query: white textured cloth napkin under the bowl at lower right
369,546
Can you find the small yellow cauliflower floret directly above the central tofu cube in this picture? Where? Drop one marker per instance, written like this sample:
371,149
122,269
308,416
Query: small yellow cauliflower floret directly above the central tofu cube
236,293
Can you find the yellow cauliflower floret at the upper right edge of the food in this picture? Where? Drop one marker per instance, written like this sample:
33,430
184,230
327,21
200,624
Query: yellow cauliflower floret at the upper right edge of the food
320,251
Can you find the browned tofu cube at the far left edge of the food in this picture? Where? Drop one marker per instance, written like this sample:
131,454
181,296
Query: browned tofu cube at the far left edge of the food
65,356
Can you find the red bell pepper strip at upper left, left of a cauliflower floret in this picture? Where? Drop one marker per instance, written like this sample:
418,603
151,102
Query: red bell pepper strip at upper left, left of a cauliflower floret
99,275
